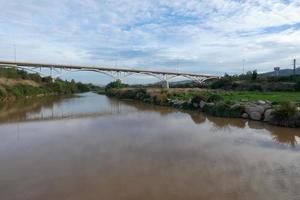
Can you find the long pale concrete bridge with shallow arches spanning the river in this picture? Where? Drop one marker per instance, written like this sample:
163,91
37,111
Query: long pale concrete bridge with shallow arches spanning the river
115,73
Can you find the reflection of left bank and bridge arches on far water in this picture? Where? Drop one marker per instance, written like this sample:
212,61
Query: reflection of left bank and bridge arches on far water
55,108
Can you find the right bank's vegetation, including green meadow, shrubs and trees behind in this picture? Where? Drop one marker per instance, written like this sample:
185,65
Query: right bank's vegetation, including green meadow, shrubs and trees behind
249,96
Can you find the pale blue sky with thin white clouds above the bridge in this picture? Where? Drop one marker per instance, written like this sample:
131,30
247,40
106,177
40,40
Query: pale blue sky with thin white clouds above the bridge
203,36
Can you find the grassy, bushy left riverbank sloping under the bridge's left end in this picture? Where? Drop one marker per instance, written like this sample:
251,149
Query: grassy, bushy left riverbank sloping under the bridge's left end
16,83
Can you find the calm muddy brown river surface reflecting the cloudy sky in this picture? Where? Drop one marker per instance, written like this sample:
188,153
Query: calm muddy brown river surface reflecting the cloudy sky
92,147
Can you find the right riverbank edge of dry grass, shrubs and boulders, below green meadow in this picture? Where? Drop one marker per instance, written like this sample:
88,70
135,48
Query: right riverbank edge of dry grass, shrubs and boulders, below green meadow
212,102
